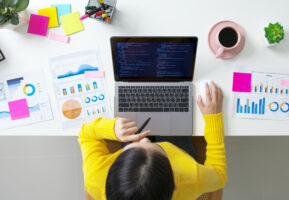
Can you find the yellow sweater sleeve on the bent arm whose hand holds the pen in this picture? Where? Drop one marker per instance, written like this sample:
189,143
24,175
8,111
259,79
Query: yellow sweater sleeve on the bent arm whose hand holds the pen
95,154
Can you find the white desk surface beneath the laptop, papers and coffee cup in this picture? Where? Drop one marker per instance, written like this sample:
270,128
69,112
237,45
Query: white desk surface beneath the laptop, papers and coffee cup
158,18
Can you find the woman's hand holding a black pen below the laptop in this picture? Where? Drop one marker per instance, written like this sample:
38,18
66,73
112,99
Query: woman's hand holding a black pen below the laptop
125,130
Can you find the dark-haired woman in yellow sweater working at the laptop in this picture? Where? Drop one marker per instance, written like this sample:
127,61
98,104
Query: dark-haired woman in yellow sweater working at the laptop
143,170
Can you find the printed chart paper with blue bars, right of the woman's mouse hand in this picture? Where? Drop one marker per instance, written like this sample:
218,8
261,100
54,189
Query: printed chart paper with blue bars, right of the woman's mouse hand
268,97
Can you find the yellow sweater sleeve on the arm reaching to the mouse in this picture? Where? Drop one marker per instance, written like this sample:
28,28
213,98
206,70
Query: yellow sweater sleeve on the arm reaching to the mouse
213,175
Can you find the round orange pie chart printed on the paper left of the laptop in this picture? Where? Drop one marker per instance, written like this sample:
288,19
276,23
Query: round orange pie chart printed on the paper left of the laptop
71,109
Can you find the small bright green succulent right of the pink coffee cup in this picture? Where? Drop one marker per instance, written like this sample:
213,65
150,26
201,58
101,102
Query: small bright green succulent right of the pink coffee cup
274,33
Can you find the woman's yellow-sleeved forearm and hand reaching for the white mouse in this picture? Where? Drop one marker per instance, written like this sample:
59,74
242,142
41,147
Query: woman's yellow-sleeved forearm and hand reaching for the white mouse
213,173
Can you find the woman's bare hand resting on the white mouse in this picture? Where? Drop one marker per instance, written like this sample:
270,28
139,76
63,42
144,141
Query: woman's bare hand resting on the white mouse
214,101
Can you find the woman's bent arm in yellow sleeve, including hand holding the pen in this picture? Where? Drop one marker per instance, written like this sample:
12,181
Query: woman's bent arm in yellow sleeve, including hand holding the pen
95,154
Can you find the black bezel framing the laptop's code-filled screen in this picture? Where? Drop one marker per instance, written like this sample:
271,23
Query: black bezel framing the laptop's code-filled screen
114,40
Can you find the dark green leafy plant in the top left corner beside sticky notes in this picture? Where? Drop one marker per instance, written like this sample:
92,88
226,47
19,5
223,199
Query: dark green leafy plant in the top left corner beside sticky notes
9,10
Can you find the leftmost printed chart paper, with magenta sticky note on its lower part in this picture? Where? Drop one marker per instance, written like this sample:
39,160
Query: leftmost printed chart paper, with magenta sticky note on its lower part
23,100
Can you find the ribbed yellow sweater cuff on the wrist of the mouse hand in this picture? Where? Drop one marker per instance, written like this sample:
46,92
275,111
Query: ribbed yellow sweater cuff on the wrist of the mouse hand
214,130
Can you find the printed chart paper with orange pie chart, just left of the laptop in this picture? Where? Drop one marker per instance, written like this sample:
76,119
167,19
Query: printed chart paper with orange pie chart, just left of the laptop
80,98
